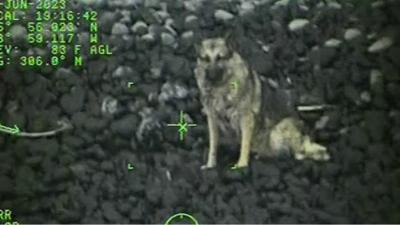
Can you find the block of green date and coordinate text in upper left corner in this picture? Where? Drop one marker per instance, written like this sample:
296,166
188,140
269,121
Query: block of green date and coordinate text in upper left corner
50,26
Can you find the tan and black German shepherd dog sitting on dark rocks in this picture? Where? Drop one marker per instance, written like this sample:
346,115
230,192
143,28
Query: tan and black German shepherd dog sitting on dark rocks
236,99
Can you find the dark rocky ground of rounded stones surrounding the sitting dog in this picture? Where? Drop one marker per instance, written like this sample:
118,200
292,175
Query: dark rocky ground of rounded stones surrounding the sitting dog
344,53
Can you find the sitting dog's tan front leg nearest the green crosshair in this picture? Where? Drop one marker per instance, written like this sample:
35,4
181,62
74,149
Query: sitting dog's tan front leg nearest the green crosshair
213,136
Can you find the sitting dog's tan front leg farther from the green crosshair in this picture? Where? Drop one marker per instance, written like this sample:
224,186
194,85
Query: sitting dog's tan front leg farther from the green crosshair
247,124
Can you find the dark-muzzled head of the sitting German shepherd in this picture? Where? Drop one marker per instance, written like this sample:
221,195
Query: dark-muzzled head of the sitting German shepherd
214,55
